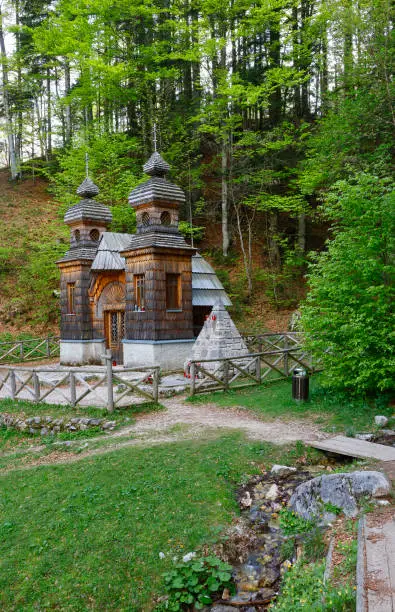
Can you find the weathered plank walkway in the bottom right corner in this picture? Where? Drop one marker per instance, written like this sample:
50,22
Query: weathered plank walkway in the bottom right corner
376,563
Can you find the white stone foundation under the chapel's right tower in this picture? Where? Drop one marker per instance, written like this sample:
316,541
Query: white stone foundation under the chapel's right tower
168,354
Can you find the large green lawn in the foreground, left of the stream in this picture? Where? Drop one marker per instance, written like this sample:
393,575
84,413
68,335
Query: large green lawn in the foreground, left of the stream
87,535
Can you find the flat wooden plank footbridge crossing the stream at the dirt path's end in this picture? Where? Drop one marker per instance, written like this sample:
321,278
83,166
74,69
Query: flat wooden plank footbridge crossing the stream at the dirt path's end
352,447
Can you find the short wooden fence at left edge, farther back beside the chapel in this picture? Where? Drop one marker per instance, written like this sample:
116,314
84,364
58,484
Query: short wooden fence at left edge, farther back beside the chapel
29,350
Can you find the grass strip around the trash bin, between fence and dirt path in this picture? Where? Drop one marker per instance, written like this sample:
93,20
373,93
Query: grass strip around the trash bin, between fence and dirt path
335,412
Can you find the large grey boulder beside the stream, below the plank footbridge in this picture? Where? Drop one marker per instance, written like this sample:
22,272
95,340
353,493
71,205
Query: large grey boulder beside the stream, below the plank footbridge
341,490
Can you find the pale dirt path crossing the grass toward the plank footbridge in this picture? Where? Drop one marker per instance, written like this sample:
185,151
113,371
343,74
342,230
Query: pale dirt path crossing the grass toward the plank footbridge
180,421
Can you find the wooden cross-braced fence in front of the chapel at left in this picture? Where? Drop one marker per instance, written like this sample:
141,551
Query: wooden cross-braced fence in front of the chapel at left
93,386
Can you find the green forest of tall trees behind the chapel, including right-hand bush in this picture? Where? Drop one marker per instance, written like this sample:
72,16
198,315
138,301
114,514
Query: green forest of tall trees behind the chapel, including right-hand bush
276,117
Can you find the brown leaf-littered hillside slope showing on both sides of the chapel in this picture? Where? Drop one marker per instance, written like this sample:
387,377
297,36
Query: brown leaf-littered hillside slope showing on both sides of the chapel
34,237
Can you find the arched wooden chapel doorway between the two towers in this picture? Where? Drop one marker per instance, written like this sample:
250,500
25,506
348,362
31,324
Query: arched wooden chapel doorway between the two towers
111,308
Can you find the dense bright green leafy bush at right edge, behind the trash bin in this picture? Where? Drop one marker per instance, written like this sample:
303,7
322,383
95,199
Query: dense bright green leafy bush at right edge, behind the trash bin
347,315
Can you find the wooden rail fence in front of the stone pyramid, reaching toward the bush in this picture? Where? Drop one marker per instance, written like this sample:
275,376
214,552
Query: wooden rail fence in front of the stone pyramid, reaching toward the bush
250,369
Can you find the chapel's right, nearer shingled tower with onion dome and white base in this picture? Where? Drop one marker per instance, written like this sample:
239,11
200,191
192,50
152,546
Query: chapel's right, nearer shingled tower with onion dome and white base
159,315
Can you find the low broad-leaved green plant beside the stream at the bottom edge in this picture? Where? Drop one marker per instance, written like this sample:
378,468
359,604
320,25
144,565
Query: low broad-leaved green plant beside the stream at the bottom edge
196,582
